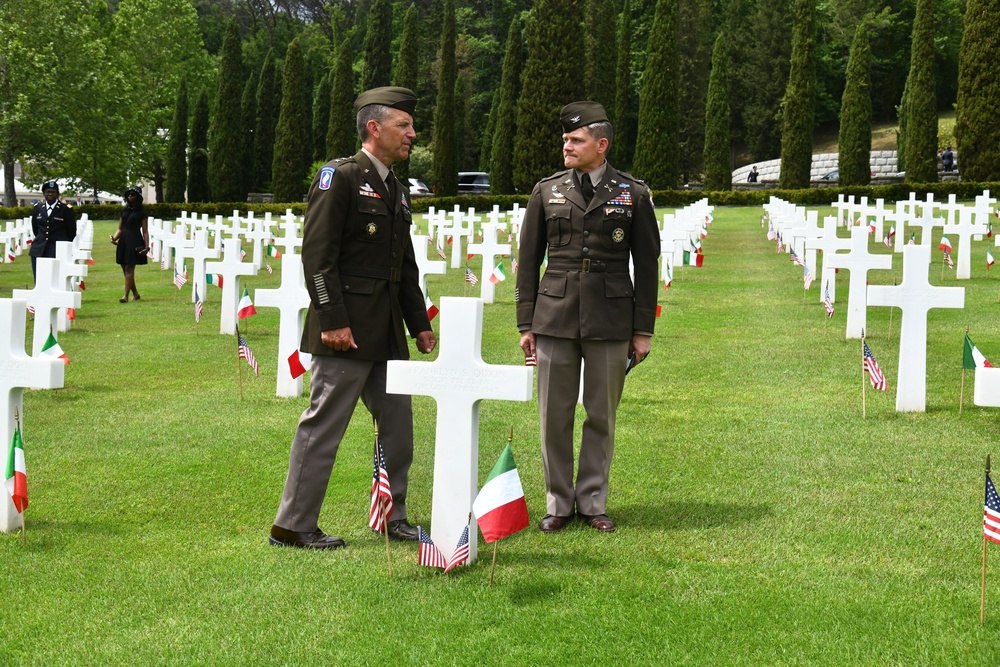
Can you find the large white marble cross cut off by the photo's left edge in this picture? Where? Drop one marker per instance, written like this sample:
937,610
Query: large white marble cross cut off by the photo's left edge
17,372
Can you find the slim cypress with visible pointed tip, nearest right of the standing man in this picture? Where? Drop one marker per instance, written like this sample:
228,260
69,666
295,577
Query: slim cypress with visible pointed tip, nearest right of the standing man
718,170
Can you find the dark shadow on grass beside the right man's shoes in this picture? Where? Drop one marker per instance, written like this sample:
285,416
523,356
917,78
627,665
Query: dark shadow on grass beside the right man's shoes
683,515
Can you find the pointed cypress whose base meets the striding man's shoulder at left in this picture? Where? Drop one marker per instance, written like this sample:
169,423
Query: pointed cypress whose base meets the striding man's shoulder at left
292,147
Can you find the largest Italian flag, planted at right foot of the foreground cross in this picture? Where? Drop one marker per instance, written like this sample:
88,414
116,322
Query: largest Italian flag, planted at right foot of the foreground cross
500,507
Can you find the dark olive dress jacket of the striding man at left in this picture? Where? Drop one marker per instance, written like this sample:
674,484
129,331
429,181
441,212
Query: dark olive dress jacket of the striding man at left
359,263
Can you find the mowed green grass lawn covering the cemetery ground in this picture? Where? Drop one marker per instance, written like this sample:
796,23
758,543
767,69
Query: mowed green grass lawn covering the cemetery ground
761,520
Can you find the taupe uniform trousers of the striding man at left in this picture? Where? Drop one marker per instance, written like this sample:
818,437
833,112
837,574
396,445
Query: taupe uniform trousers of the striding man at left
337,384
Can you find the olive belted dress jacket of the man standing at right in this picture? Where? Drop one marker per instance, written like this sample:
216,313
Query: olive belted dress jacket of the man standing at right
586,291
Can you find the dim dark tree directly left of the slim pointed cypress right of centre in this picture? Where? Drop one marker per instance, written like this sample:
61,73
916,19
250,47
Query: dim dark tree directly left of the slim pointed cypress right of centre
694,61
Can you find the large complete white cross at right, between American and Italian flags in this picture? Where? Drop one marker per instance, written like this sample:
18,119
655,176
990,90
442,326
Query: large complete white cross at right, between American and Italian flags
914,296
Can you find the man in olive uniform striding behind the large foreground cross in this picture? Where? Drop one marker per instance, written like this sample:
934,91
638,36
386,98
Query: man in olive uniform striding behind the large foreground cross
361,273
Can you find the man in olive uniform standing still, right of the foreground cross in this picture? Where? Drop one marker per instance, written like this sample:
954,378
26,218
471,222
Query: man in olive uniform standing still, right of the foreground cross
591,220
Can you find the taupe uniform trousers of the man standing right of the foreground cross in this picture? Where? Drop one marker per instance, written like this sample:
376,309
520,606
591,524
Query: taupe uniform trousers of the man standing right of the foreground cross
558,389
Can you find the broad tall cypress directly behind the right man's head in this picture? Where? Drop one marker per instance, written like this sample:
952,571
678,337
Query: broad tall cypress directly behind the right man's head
553,77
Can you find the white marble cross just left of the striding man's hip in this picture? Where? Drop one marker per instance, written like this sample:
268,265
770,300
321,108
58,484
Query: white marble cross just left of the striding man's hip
292,301
